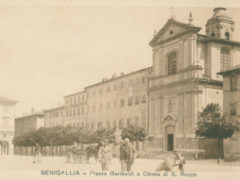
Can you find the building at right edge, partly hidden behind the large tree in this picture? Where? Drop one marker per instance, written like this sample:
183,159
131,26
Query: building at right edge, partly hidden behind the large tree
231,106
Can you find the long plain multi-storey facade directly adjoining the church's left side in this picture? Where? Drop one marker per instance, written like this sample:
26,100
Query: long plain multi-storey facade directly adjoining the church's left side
119,101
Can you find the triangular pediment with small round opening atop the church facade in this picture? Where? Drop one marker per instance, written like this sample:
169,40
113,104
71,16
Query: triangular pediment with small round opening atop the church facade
172,29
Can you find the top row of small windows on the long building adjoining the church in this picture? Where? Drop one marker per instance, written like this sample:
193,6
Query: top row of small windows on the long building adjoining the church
122,84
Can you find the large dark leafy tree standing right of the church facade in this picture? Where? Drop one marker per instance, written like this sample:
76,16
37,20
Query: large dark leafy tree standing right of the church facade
212,124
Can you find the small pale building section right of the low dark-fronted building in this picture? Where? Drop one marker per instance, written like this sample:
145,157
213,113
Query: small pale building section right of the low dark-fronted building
54,117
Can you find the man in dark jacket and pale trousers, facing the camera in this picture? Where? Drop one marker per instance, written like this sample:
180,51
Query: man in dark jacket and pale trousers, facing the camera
127,152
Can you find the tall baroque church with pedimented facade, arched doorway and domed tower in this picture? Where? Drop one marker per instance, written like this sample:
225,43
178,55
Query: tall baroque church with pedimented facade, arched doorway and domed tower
184,79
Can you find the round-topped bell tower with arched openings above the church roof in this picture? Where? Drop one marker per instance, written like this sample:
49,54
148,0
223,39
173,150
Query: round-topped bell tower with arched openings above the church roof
220,25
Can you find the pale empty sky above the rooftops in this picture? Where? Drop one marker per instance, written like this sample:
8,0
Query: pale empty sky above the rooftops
55,48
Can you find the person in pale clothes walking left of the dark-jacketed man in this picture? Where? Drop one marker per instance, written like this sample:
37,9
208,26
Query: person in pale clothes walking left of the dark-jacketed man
105,155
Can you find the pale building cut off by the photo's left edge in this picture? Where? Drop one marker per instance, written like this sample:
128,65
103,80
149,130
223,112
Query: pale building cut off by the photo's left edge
7,107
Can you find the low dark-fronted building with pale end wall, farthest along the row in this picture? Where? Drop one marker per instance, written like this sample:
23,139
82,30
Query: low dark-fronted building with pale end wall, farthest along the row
28,123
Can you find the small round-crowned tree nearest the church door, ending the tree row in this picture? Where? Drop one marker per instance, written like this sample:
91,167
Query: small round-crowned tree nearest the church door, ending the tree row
134,133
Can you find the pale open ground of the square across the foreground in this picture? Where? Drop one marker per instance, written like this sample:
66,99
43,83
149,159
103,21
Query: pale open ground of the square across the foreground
22,167
